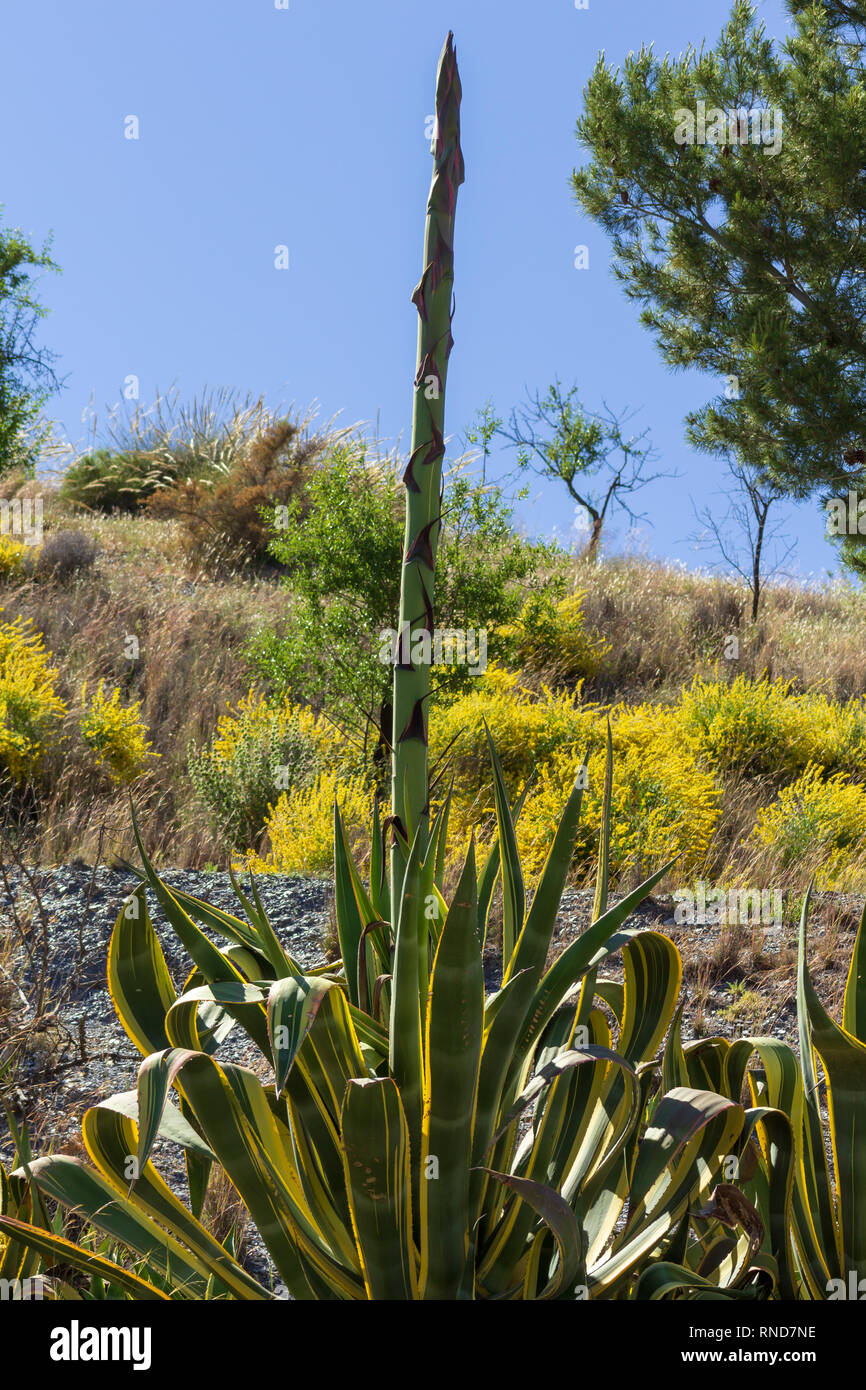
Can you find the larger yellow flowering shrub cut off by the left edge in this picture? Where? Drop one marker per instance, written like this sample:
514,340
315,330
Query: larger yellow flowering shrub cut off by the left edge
30,708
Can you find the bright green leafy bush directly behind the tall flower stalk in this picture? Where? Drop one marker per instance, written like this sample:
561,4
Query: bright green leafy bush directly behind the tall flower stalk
343,547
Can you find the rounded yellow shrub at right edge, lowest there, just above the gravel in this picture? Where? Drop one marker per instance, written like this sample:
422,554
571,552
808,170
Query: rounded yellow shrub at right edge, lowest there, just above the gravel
818,821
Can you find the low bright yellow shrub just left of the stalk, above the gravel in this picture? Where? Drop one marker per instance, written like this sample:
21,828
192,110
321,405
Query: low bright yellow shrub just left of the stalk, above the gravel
301,826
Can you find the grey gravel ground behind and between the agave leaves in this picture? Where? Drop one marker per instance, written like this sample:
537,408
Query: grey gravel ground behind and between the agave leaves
84,1056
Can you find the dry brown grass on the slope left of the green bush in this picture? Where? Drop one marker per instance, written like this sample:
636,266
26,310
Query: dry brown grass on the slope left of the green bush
191,635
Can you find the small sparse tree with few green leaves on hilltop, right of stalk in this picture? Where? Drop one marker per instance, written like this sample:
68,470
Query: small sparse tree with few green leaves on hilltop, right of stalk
600,464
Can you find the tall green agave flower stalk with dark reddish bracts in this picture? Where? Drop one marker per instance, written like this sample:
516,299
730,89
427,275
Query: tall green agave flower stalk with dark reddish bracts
423,477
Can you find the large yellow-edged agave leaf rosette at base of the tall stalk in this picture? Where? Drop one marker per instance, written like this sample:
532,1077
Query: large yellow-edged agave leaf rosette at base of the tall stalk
505,1147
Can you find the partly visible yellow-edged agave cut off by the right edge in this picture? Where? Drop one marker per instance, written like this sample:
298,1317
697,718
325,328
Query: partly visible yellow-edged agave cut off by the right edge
814,1211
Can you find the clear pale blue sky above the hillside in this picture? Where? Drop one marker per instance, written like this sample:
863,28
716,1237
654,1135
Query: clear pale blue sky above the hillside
307,127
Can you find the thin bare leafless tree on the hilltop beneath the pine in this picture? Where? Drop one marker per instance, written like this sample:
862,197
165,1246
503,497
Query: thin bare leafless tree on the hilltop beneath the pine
742,532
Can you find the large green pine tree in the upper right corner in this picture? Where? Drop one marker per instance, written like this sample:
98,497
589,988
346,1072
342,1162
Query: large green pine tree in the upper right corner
730,181
